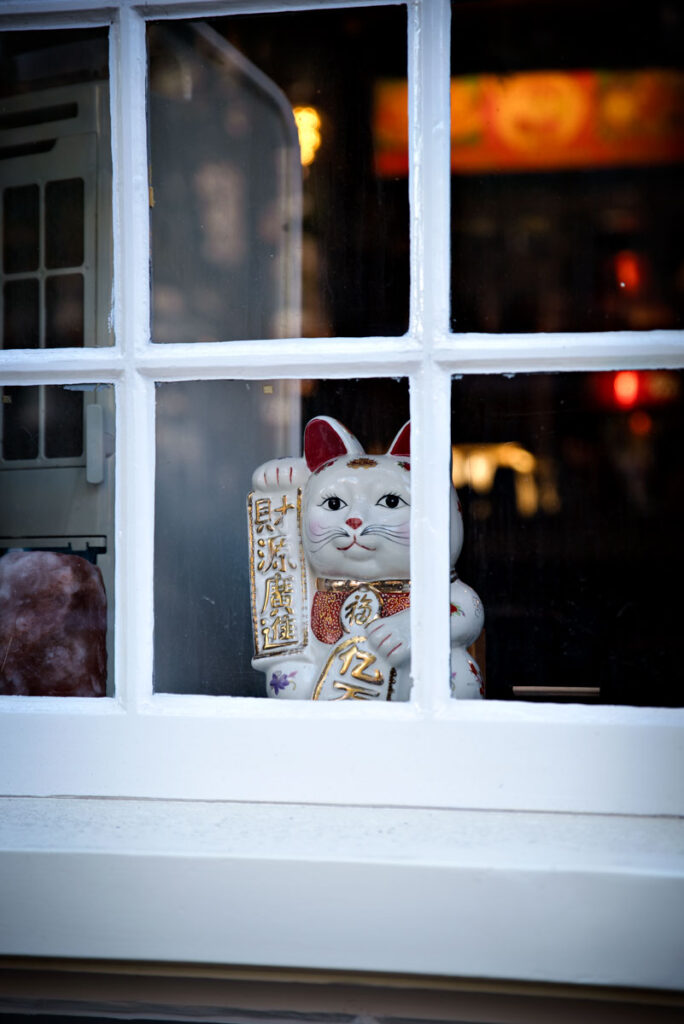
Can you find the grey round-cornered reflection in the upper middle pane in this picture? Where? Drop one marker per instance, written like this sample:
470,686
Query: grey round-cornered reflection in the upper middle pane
227,216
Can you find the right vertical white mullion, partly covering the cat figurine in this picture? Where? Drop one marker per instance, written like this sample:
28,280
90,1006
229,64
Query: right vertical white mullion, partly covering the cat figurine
430,147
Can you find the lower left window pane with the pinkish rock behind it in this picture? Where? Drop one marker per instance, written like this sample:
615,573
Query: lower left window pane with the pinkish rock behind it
57,541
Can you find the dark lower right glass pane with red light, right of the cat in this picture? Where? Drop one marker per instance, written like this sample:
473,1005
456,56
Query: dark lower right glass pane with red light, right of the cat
572,487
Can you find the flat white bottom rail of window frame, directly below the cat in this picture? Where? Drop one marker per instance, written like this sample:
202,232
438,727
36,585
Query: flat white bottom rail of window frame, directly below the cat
238,749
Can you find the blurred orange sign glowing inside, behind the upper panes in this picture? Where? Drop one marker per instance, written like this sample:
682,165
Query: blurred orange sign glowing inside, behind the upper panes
545,120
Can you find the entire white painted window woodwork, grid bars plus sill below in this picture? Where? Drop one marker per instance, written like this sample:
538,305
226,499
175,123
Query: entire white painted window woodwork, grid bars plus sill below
544,897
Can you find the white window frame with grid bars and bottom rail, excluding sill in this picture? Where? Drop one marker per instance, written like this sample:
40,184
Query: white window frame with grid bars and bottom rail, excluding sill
433,753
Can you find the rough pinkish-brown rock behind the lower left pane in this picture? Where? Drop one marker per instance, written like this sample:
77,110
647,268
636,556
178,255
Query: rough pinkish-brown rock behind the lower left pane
53,626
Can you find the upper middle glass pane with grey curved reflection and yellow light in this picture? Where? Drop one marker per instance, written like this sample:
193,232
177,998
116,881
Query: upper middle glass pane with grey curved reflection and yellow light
272,214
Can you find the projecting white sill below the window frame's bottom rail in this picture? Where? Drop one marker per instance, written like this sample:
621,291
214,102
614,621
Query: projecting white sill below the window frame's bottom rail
537,898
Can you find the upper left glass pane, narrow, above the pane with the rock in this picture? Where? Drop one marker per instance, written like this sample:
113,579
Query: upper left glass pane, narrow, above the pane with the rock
56,179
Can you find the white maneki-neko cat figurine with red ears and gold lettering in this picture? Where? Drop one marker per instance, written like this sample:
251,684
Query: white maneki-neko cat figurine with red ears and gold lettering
330,574
